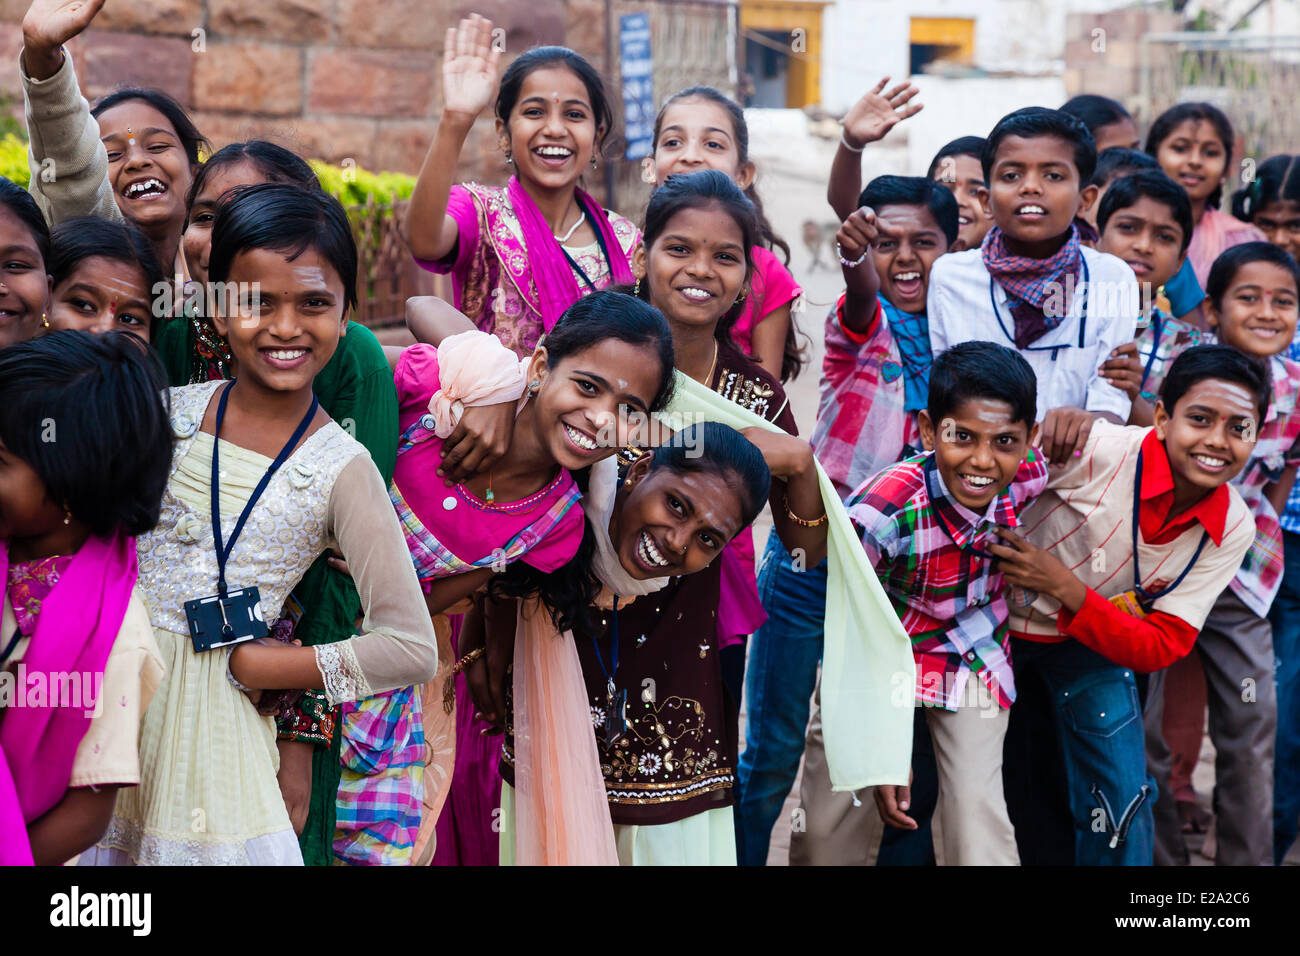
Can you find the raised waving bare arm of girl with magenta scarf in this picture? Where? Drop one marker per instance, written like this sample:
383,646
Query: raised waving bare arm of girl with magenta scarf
469,85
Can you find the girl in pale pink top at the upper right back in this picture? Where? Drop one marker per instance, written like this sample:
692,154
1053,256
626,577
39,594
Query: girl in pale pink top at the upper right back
1193,142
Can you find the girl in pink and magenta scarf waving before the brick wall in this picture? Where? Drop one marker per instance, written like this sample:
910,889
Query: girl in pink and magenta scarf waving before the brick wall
522,254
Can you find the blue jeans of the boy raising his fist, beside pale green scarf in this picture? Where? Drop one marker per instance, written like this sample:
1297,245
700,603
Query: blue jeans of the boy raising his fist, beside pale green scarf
779,682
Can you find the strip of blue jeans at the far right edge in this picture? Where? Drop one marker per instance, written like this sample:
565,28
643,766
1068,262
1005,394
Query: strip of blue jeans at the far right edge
1286,661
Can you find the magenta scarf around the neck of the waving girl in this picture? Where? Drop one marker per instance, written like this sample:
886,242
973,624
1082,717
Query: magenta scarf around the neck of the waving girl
557,287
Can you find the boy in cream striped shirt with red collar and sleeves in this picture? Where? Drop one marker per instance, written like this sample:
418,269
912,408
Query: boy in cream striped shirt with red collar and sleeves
1117,568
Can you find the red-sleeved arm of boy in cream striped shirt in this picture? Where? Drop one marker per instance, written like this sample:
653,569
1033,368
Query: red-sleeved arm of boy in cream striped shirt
1146,644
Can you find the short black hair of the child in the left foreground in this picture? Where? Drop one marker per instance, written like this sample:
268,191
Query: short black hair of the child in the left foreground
107,399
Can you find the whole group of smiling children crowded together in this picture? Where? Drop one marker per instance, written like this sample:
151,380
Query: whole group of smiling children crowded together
495,598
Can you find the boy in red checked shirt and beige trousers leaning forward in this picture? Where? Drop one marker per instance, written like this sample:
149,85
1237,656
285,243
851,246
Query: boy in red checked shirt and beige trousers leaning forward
926,525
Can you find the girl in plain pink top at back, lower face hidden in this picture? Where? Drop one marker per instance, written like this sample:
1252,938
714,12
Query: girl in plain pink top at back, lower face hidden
703,129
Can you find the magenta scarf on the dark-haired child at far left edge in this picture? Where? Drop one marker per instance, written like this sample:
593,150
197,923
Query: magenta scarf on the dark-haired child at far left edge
80,622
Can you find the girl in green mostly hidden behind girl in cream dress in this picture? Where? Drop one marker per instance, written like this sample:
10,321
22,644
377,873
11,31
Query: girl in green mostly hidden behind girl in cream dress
357,390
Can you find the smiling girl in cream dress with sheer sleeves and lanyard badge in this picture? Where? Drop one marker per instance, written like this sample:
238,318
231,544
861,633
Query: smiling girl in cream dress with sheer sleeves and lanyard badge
263,483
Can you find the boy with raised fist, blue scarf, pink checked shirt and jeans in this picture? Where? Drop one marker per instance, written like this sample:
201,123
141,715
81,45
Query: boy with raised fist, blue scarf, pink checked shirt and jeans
874,380
